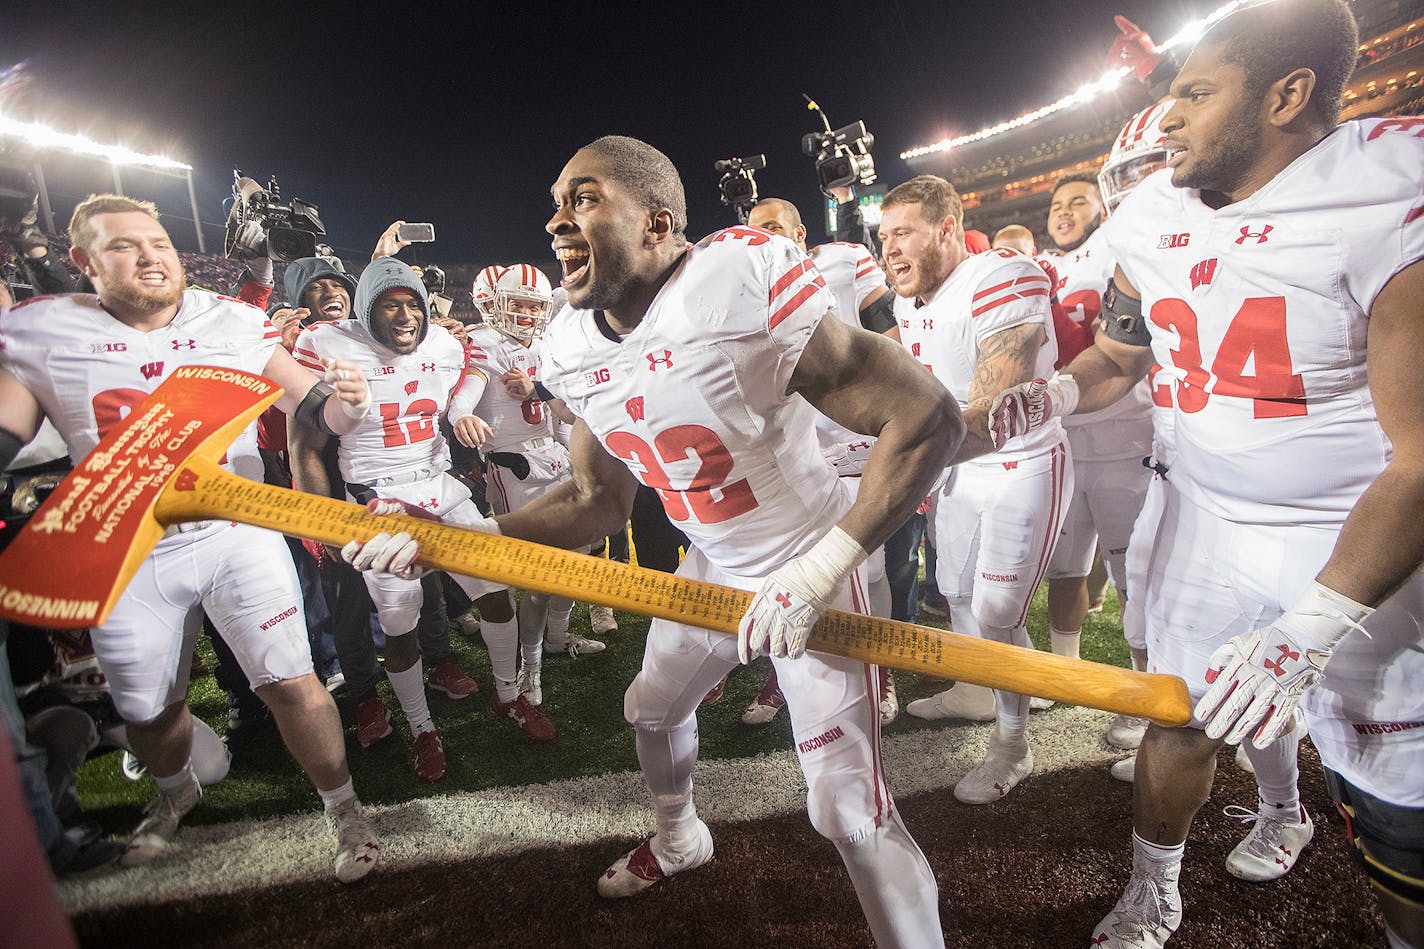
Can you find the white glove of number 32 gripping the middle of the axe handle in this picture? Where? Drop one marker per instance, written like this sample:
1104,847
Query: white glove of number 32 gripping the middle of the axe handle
794,596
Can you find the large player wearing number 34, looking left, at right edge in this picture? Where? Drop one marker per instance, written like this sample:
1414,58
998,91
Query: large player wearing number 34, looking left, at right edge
1277,273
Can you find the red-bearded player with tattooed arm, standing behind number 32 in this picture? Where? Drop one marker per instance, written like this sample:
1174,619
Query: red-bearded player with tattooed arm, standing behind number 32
980,324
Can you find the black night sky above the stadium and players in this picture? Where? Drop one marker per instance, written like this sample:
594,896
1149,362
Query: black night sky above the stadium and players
466,119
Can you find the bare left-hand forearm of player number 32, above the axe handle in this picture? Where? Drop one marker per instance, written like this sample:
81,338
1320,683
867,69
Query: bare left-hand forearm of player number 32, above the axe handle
596,502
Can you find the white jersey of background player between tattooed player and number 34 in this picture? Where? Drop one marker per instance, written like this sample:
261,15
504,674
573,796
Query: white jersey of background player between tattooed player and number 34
1124,430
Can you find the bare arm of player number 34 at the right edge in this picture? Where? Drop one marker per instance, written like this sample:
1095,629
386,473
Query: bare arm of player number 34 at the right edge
1382,542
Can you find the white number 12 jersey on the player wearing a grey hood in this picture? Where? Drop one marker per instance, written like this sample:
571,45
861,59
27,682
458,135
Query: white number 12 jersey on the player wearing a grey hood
408,394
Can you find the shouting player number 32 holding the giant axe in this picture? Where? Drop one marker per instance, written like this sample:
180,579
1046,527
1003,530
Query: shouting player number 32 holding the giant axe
698,371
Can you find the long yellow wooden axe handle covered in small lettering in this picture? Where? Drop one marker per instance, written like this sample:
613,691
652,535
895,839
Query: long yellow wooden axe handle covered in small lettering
200,491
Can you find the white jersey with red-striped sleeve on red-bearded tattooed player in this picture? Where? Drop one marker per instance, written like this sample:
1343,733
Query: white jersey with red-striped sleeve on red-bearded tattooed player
985,296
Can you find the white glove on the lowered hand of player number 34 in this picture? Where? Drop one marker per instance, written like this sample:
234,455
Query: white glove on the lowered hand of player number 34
1258,679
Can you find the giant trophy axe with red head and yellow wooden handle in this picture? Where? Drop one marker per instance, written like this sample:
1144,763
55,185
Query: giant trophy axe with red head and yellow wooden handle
160,467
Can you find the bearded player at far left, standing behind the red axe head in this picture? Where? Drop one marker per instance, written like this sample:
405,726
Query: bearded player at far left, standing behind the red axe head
83,361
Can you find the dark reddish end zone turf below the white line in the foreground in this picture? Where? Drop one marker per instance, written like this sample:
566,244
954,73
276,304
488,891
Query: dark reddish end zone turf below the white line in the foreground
1039,868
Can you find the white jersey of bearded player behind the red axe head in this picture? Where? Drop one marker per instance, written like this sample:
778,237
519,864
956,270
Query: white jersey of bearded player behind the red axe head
88,370
